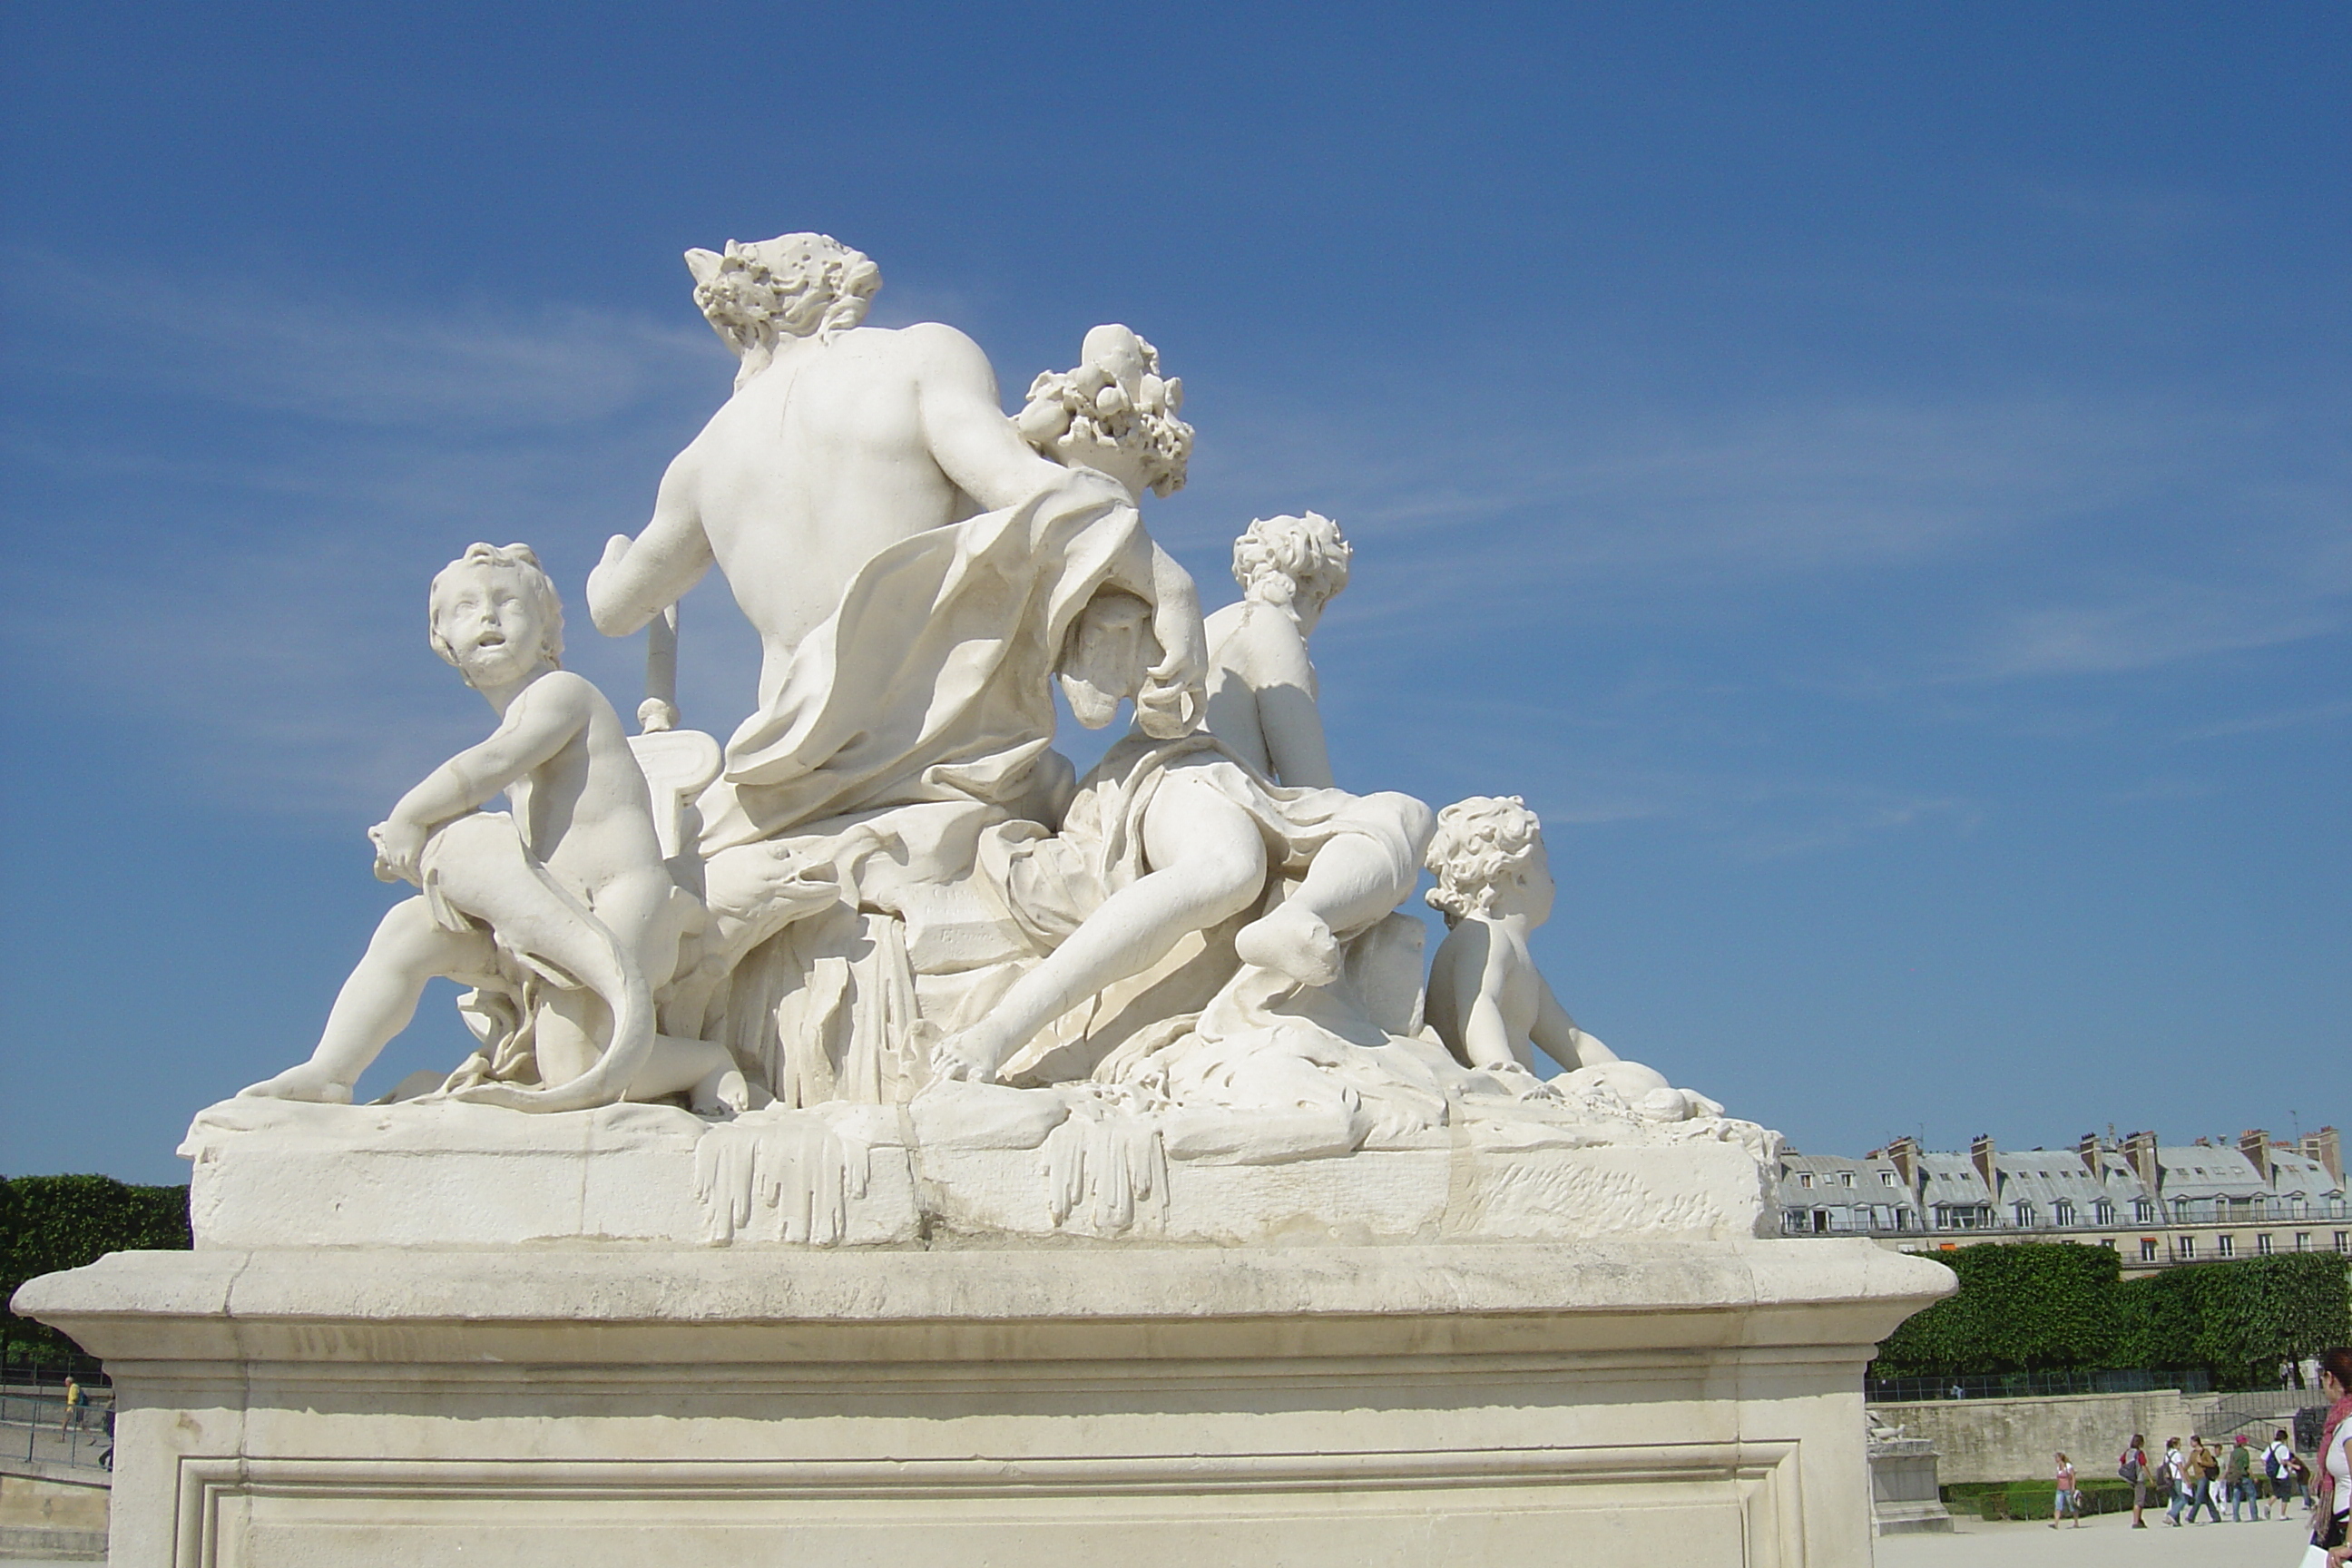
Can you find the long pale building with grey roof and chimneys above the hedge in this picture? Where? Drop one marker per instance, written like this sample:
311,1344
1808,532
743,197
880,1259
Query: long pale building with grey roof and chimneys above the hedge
2156,1205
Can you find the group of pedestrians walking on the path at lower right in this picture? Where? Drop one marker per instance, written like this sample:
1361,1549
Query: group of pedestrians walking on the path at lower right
2254,1482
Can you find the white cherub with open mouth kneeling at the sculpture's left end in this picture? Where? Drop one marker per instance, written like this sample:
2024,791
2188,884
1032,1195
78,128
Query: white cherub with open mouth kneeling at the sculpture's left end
566,902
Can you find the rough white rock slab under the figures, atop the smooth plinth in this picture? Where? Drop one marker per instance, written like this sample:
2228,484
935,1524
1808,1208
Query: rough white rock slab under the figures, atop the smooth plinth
439,1174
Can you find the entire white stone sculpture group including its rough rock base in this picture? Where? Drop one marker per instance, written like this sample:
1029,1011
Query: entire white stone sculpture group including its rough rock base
886,956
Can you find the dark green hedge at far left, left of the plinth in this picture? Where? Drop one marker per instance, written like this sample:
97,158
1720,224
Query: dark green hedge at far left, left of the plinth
65,1221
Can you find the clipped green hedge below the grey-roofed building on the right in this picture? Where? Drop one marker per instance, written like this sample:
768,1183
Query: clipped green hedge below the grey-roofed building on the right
2064,1306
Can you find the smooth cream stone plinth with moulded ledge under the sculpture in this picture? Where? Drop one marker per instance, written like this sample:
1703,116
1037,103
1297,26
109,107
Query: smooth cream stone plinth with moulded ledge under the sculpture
1038,1405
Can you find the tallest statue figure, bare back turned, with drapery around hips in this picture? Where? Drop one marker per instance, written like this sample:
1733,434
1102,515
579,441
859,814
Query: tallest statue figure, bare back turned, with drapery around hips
838,445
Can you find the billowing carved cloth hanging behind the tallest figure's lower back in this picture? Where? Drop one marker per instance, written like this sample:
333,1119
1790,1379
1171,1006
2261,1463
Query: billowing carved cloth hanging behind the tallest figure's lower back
933,678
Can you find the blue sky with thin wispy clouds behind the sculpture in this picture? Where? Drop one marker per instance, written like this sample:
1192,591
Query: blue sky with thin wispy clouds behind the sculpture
1873,478
